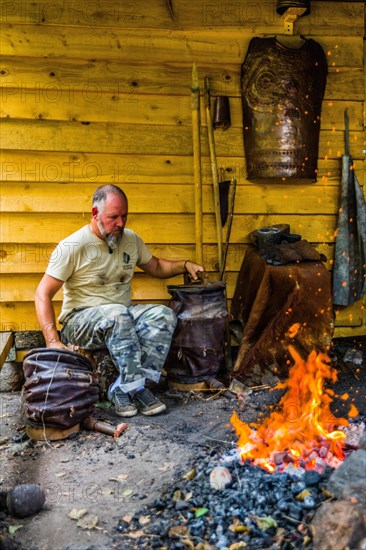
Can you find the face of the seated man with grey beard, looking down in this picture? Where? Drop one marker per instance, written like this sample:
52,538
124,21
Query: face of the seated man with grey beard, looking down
112,221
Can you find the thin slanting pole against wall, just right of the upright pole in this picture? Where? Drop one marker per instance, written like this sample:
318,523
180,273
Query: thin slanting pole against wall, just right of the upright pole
215,178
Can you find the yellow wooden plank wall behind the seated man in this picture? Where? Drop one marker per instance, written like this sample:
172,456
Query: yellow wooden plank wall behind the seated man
100,93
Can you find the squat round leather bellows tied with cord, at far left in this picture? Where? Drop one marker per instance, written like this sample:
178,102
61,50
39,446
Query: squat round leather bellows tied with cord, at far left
59,389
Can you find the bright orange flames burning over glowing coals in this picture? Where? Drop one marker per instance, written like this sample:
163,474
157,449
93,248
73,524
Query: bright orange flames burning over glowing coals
301,430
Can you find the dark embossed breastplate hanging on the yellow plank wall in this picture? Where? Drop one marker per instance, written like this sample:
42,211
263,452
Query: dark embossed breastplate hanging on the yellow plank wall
282,92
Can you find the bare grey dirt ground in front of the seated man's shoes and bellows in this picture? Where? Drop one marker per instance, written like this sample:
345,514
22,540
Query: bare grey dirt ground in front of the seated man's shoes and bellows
109,478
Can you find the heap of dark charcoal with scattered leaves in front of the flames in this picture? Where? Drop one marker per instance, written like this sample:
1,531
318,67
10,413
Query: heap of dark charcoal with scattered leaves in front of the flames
222,503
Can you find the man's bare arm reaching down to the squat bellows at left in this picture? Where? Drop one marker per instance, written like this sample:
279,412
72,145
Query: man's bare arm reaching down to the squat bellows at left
46,290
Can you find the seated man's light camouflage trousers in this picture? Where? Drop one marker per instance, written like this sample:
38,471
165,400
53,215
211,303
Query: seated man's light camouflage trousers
137,337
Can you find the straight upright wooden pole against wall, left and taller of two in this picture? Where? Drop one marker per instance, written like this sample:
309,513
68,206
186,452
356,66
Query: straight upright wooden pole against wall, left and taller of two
196,129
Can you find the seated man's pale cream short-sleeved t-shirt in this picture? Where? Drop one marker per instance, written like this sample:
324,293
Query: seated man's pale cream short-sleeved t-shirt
92,274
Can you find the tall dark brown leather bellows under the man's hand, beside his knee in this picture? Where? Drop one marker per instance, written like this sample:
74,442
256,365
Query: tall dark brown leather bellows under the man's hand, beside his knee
197,349
